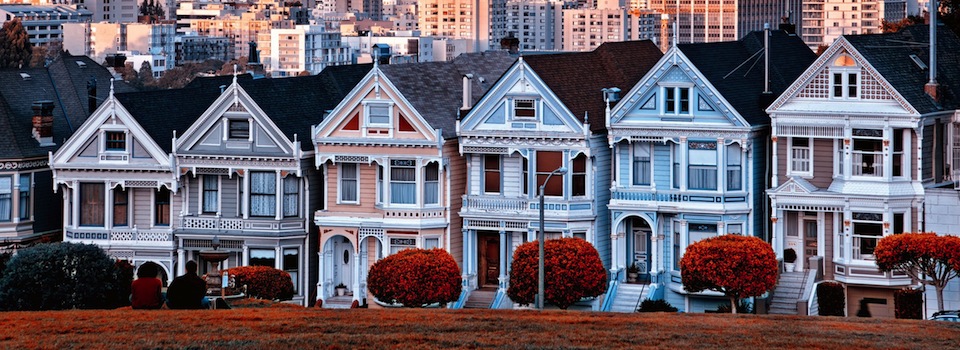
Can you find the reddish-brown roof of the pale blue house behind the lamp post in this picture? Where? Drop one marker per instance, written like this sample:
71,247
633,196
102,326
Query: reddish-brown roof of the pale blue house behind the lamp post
578,78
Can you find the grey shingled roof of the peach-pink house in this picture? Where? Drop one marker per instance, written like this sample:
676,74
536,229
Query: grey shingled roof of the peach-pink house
435,89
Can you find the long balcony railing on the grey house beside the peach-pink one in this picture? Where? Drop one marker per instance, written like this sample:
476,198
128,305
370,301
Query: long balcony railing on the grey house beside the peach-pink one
214,224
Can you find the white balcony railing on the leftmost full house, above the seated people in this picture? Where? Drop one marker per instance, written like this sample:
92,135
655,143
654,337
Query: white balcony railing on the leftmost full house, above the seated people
122,236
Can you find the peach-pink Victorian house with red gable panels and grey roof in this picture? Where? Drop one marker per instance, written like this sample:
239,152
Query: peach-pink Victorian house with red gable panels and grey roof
392,168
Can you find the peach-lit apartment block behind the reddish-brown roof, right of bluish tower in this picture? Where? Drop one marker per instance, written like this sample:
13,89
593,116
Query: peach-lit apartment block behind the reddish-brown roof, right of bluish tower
584,29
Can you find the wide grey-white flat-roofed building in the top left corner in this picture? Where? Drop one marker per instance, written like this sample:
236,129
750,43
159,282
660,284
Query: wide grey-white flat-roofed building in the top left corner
43,22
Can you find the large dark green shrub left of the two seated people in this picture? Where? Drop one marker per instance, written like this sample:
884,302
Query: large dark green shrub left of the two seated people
60,276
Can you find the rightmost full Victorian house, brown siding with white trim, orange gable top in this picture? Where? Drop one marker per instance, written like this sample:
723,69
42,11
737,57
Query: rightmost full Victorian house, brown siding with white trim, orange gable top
858,139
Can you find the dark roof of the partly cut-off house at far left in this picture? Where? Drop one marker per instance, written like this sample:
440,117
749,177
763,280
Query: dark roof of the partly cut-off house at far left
63,82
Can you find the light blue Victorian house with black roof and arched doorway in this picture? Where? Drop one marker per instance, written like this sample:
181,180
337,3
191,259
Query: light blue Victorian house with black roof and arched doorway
689,150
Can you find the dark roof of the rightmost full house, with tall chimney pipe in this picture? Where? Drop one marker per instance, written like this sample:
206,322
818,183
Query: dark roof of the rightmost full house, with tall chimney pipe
890,54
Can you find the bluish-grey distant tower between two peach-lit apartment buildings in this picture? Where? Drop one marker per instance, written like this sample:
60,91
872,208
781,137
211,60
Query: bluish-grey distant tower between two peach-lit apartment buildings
537,25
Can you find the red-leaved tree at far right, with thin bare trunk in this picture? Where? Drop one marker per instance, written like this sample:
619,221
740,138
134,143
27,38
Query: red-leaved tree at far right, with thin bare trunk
924,256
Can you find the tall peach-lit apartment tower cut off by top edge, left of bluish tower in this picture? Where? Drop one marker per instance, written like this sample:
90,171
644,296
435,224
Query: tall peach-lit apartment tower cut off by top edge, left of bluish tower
459,19
